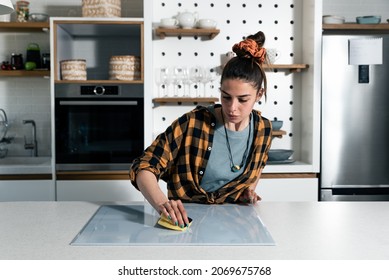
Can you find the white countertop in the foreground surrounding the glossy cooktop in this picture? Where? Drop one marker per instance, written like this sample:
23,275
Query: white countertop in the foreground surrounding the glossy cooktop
301,230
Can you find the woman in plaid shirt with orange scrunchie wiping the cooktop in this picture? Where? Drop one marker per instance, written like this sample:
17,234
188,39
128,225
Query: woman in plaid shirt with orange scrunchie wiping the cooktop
212,154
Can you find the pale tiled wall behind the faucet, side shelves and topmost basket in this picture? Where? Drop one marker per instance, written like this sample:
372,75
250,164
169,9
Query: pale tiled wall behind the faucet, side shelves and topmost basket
29,98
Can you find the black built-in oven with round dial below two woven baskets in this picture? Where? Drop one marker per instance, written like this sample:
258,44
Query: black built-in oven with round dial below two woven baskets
98,127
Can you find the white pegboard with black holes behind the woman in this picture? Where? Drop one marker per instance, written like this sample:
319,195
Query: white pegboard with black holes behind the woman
280,20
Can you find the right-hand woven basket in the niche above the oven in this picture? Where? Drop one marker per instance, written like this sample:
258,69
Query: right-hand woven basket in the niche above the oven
124,67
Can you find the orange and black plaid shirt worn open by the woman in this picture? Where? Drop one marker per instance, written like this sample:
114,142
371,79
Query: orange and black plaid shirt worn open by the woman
180,155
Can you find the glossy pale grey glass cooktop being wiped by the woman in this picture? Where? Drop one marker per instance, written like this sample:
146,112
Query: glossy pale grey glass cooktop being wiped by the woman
136,224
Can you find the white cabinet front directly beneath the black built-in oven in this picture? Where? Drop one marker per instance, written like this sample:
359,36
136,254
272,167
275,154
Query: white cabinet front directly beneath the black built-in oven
97,190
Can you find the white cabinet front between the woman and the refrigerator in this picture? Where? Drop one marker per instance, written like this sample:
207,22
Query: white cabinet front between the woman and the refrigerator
288,189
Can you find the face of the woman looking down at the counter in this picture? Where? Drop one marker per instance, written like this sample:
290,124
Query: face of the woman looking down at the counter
238,99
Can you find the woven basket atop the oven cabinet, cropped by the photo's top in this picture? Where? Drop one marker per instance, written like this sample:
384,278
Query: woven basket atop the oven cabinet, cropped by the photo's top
101,8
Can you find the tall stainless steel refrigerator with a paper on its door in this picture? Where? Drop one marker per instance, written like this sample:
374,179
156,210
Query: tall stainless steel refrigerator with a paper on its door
355,122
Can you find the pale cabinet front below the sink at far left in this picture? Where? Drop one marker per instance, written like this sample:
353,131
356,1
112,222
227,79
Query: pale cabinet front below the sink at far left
27,190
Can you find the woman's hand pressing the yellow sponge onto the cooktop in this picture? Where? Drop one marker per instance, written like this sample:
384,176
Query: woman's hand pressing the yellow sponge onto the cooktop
175,211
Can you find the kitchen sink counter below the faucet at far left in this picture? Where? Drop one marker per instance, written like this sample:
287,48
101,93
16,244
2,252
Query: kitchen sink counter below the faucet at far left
25,165
